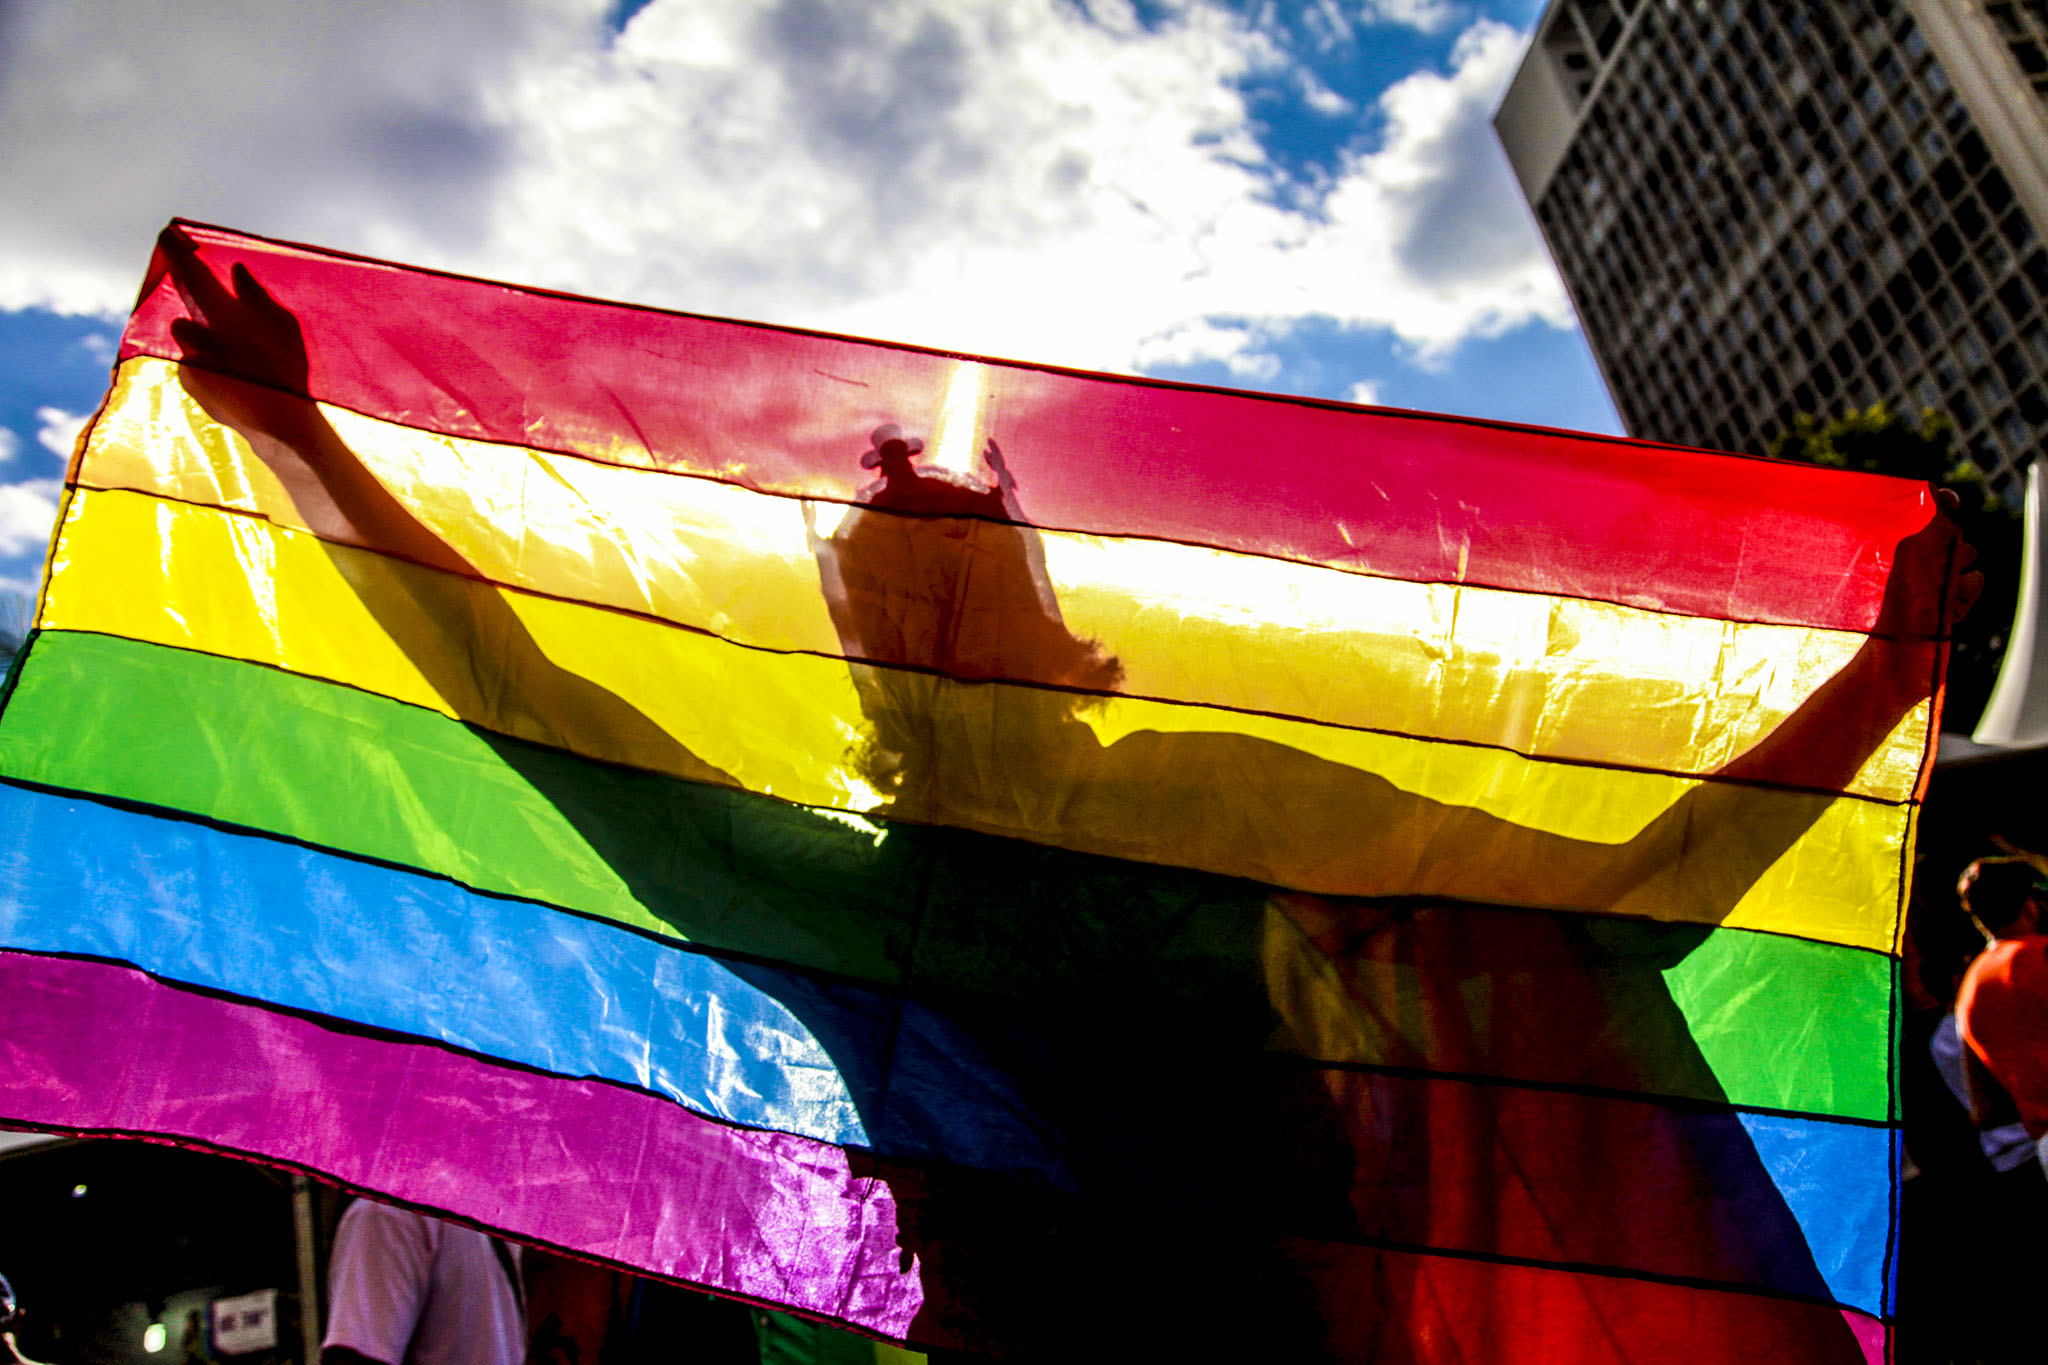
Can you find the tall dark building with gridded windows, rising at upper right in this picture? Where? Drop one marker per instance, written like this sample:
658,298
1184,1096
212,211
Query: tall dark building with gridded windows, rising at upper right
1766,210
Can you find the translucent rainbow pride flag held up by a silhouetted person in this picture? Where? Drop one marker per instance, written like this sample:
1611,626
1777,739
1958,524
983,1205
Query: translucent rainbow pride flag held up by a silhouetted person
1000,858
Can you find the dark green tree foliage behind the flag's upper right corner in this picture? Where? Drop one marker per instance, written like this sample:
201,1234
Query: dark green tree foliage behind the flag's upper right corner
1881,443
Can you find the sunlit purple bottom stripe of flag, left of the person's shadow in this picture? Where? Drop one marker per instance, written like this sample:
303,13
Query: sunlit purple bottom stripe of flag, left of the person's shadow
570,1163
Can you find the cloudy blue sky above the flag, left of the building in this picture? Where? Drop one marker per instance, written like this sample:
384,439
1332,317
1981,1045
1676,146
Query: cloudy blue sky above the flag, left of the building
1297,197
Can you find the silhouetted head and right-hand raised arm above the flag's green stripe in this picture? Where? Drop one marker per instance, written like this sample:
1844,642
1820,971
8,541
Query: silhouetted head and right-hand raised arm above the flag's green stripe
935,582
